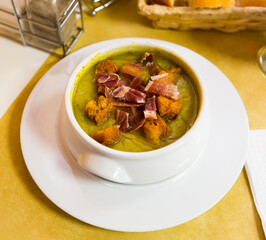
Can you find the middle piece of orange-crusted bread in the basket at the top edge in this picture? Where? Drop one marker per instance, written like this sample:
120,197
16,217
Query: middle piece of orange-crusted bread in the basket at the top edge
213,3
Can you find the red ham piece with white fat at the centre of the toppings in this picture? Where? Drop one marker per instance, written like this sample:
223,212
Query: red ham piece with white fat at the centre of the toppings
129,94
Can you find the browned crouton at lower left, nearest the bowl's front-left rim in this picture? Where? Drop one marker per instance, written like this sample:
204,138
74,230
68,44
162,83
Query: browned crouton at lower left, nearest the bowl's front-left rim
107,136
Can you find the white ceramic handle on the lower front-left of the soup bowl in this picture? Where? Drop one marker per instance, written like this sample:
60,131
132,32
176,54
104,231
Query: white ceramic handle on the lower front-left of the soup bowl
103,167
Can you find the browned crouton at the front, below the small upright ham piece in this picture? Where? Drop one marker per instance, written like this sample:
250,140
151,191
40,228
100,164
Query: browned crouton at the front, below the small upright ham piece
154,129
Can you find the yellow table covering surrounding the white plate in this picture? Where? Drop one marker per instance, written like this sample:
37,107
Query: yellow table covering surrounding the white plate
26,213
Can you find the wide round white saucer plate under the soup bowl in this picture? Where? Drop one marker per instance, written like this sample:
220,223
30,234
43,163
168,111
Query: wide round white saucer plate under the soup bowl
126,207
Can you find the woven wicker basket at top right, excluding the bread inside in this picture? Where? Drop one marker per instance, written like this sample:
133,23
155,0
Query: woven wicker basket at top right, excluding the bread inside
187,18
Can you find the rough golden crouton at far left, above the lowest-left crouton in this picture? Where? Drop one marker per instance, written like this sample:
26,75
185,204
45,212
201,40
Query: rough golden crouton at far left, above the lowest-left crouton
99,110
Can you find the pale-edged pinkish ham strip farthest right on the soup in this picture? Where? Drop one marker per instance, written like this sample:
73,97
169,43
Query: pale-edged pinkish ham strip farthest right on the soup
169,90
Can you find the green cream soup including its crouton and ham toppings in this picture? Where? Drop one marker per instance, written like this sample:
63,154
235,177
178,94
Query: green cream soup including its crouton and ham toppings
135,100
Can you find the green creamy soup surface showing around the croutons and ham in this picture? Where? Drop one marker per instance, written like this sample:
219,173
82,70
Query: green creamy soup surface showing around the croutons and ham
85,90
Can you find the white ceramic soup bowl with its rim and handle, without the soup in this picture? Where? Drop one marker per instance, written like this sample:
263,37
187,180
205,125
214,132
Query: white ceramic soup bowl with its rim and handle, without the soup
131,167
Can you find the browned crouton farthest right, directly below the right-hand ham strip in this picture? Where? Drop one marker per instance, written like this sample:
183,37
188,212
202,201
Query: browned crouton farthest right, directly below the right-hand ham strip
168,107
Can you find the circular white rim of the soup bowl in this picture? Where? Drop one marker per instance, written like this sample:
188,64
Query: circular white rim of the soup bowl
123,154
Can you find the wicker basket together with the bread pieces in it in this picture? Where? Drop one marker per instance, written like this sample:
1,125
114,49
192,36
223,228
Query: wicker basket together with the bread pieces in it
223,15
